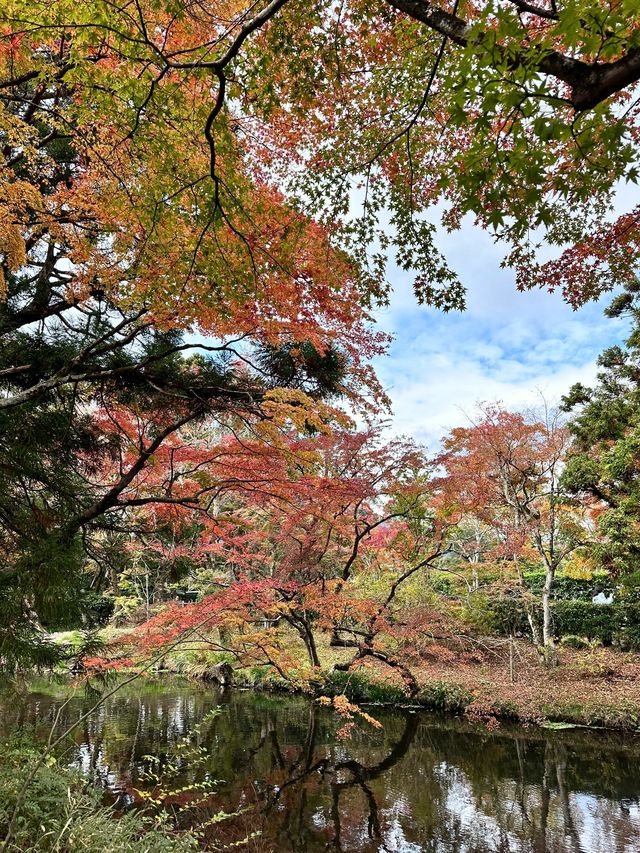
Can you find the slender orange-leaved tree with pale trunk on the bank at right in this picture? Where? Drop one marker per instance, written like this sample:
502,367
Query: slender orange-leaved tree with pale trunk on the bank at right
505,471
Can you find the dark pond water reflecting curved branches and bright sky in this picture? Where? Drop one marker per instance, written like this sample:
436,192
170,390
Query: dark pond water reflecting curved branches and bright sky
422,783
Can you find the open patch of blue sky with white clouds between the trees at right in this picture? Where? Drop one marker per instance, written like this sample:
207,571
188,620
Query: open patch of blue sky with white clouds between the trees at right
507,346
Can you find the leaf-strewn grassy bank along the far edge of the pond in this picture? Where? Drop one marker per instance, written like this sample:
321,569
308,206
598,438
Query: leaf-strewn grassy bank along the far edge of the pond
590,687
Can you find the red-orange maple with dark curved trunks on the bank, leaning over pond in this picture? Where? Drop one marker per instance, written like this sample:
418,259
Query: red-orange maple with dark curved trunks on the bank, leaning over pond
295,531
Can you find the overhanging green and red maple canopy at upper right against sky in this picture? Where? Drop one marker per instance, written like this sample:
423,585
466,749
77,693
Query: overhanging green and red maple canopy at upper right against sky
523,116
